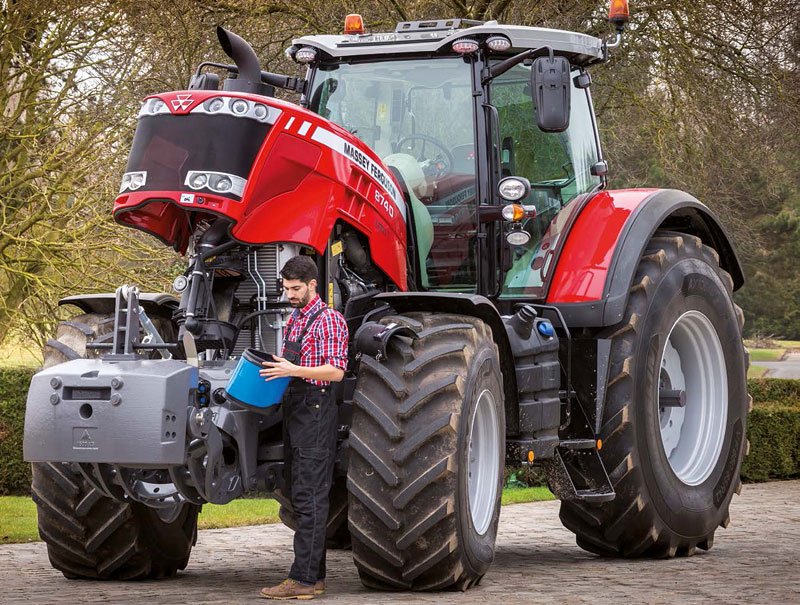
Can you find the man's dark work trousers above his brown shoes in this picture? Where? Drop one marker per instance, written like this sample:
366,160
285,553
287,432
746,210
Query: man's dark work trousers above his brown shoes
310,417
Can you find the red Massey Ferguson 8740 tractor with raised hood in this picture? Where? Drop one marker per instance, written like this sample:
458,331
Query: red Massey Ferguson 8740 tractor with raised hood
505,307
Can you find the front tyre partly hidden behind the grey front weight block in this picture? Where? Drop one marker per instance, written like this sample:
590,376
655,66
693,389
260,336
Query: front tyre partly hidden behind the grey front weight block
91,536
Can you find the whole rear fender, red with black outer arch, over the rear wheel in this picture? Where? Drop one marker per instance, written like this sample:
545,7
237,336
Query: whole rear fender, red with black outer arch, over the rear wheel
596,267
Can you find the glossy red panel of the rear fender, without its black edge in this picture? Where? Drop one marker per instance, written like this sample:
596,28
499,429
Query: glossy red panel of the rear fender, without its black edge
582,268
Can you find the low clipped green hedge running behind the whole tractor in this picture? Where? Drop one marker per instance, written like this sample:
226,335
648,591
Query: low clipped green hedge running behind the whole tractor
774,433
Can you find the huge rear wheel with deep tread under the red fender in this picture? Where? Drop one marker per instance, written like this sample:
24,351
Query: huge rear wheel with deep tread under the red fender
674,469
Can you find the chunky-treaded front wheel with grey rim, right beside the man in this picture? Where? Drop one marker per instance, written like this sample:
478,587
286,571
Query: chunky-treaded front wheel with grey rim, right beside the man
427,457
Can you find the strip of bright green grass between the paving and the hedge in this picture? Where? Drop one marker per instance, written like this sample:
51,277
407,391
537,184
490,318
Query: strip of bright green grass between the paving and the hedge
18,513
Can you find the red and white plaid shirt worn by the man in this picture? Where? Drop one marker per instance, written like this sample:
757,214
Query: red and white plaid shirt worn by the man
325,341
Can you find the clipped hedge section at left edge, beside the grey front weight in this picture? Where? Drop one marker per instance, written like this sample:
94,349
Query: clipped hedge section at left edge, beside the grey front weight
15,475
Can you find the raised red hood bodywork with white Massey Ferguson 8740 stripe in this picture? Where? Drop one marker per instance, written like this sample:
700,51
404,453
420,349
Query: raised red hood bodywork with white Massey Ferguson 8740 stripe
308,174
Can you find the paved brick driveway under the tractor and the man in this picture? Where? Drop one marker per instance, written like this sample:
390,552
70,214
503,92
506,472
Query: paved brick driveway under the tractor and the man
753,561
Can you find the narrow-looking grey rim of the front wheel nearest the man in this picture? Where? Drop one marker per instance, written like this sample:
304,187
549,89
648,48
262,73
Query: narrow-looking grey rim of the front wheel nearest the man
484,459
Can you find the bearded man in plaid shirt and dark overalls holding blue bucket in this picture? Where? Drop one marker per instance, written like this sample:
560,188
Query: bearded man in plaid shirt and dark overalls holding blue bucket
314,356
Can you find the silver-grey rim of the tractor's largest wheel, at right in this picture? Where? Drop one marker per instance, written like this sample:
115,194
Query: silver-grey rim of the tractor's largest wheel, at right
693,362
